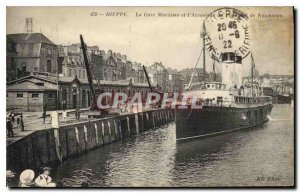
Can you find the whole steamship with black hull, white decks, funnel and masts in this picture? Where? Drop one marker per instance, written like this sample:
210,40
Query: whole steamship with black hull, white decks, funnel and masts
223,106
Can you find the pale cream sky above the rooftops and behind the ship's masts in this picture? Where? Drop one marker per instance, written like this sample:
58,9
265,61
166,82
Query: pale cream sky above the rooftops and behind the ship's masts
175,41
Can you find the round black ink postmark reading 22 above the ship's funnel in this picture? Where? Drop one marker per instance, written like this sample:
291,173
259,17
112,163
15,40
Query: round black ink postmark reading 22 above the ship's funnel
226,34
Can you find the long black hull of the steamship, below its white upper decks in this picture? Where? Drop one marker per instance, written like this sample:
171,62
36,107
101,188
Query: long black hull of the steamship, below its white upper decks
214,120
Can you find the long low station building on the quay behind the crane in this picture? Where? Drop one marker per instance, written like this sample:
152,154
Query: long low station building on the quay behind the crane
30,93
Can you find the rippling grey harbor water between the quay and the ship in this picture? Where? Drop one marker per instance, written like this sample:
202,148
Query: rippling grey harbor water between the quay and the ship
262,156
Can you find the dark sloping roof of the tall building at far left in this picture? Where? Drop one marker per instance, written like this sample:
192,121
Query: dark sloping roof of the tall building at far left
28,38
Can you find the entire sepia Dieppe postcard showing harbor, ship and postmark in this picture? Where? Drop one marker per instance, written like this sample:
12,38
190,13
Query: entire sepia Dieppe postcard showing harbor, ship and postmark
150,97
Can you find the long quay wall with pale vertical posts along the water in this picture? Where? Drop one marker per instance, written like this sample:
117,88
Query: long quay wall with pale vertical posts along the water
51,146
